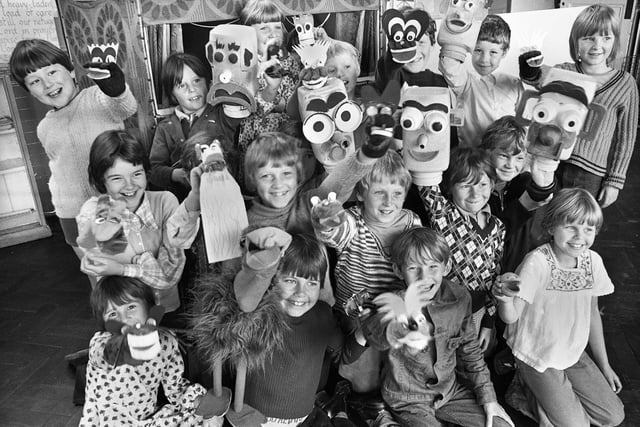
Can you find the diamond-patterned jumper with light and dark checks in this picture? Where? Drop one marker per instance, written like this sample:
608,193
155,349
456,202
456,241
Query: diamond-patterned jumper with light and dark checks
475,253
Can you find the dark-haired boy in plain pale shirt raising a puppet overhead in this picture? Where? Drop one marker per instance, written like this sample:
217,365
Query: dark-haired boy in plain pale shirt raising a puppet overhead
489,95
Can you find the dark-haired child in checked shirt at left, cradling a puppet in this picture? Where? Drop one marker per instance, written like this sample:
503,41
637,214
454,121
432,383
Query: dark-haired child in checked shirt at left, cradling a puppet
118,165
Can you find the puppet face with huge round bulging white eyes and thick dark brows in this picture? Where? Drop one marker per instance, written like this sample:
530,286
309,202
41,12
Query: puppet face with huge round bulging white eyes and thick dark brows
325,109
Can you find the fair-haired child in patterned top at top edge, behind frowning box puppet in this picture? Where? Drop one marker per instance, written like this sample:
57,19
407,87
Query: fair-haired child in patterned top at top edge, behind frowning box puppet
274,91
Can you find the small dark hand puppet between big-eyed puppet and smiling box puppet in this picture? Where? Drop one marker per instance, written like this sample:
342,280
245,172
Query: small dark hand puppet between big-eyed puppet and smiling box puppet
379,128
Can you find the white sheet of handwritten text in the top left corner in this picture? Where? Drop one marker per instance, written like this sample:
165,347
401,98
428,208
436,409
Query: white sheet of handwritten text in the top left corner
26,19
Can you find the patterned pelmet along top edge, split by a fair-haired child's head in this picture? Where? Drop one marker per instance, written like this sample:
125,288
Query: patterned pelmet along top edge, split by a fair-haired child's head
181,11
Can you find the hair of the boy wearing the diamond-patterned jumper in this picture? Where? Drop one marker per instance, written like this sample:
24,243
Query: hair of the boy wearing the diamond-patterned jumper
467,164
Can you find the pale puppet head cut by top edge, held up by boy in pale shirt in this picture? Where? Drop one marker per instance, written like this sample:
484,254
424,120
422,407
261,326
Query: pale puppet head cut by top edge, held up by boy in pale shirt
460,27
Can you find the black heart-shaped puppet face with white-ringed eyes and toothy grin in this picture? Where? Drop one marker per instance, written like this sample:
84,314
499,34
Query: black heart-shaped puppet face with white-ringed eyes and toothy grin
404,33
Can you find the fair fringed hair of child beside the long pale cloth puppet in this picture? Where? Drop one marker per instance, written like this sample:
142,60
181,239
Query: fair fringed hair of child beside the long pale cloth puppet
271,147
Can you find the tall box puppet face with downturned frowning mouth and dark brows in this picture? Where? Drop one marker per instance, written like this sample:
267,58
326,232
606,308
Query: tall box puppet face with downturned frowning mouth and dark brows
232,53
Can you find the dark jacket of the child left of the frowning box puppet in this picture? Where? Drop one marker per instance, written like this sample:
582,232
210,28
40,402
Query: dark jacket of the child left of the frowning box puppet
168,146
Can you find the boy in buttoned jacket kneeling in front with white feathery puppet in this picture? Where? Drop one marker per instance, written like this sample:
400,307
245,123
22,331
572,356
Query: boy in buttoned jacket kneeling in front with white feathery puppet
420,386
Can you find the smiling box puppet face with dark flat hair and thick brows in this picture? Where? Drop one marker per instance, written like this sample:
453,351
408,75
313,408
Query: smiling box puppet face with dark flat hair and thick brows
425,128
